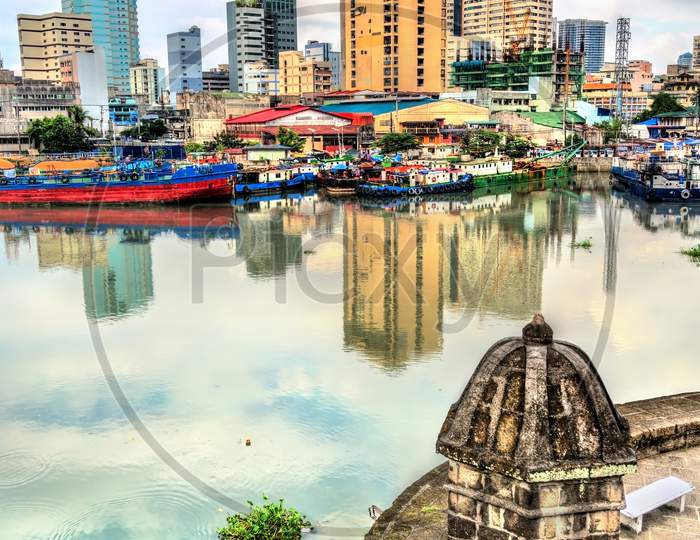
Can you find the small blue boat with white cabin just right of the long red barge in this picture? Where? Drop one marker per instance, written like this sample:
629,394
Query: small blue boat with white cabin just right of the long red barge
266,180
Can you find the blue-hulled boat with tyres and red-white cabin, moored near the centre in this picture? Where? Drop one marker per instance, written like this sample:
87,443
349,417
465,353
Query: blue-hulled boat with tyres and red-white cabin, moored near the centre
412,181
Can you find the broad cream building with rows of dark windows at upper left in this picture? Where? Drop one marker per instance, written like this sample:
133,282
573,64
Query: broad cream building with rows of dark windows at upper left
44,39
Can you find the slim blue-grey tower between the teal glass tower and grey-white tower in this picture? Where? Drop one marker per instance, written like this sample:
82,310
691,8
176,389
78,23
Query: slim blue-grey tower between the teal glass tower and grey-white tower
185,61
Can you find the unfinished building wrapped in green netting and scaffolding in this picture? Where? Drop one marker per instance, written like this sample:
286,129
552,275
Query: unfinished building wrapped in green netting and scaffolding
556,74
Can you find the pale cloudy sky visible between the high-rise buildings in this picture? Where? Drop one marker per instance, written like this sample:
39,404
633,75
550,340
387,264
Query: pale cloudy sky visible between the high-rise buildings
661,30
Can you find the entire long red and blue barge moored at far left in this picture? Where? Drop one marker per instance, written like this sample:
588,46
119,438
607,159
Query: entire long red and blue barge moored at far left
158,185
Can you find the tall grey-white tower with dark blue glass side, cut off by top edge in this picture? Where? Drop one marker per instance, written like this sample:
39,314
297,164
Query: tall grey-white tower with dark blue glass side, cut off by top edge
259,30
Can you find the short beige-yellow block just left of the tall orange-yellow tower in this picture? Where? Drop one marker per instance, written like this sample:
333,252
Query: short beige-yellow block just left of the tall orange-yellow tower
299,75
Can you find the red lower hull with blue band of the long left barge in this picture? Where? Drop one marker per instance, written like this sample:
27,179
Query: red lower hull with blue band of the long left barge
158,192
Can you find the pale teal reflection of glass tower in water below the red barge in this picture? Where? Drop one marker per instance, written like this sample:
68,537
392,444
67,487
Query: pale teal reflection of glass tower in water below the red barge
125,283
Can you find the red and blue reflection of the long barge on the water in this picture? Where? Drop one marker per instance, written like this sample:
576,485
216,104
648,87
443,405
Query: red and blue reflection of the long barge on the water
195,222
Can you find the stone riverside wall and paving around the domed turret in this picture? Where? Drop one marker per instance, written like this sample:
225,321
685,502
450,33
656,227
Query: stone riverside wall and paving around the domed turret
665,433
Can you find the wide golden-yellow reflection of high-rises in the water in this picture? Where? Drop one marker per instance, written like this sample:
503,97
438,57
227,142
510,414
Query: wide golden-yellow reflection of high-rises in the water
403,270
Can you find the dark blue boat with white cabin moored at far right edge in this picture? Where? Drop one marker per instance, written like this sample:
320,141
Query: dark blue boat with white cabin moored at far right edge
658,179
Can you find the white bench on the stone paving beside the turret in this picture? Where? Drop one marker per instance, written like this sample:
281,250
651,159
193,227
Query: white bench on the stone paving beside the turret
654,496
